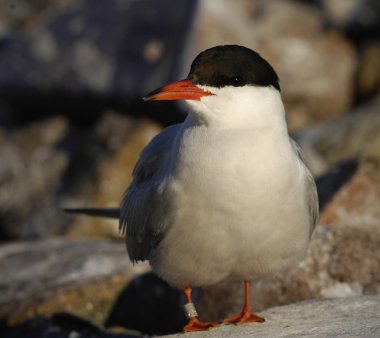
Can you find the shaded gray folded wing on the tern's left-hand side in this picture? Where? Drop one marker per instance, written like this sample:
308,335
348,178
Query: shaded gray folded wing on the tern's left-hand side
142,211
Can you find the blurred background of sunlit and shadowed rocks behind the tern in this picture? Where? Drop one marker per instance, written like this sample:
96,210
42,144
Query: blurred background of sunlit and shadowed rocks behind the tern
72,125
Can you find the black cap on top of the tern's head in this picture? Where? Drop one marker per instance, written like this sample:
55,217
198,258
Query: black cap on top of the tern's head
232,65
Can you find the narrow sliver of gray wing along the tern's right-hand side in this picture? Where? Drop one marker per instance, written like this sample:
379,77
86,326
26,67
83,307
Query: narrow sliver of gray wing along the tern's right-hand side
311,189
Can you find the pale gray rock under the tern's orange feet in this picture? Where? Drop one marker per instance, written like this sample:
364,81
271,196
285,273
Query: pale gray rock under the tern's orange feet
344,317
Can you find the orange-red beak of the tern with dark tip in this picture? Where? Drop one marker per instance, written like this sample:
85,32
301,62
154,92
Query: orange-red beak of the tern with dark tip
180,90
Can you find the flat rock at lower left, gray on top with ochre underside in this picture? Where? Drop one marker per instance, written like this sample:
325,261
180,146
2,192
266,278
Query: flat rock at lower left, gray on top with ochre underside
54,275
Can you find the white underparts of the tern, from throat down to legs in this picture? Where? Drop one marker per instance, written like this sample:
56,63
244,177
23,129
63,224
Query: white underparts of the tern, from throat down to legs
237,198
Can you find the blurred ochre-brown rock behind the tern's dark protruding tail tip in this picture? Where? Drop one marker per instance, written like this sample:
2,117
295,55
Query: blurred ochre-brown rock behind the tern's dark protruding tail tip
122,140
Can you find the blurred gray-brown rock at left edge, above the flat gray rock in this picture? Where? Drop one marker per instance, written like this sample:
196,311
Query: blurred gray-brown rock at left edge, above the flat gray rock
31,166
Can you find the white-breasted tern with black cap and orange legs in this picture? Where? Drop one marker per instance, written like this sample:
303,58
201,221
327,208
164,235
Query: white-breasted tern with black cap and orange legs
225,195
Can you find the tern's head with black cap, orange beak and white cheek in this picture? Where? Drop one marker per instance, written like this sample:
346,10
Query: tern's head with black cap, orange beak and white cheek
223,79
